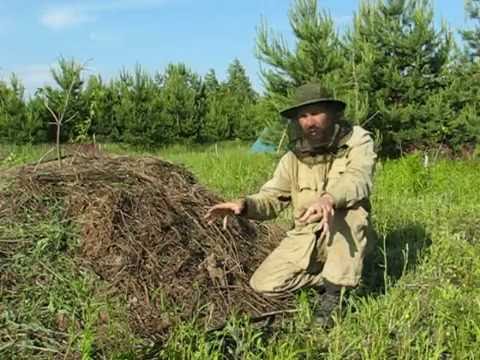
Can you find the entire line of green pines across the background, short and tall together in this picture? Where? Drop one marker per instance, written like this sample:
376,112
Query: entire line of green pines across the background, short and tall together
412,83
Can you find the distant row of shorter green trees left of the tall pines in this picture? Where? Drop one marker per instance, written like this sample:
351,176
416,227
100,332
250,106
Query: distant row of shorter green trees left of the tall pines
135,108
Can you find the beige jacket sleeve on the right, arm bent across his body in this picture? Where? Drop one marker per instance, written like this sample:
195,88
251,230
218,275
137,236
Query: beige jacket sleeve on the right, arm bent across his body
355,184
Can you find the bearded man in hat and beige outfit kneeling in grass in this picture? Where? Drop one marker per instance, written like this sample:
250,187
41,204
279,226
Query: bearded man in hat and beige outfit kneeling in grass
327,178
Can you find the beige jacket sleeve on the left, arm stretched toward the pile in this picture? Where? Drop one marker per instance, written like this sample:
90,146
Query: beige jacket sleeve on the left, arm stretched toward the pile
274,196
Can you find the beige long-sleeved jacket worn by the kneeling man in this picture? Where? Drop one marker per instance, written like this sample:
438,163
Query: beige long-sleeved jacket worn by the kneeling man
346,176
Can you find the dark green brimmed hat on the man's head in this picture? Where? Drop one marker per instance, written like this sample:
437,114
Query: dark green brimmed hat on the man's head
308,94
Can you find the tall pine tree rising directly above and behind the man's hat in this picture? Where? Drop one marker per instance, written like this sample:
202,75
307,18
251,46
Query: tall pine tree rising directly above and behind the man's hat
318,54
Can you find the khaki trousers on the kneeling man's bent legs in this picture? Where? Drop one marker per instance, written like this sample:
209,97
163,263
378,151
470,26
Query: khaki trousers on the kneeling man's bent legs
305,257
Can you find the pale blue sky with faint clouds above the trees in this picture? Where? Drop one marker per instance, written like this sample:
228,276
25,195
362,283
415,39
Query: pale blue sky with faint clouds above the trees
111,35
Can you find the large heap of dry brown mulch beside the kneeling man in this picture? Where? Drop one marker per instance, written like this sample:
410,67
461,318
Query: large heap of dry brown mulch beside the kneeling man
142,230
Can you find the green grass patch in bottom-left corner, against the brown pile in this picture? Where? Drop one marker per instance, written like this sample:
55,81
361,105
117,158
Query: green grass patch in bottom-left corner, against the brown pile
51,305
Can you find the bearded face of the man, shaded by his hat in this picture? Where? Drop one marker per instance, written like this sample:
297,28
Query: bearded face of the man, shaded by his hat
316,122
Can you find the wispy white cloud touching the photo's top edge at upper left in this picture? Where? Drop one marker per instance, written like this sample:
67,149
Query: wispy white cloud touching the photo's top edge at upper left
63,15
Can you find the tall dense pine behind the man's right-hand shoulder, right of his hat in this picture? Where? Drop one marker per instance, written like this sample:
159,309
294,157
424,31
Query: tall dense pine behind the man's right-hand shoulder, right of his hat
397,61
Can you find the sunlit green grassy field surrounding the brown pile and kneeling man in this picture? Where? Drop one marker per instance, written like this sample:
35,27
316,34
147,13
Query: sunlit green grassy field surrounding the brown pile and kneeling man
420,298
